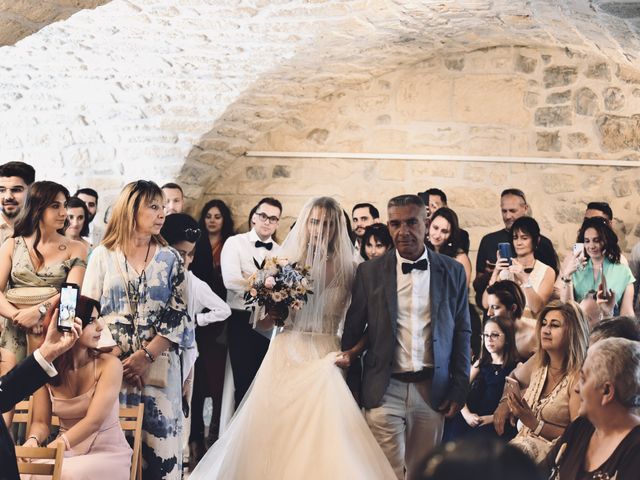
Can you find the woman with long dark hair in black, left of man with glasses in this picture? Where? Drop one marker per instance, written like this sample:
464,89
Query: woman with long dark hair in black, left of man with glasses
216,225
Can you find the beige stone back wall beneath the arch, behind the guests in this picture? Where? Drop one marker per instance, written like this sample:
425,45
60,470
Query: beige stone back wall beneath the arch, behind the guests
504,101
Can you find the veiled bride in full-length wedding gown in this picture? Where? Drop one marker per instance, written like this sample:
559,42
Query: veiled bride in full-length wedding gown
299,419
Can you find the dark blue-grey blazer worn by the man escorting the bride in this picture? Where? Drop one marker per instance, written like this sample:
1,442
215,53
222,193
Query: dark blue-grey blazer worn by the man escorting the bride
374,304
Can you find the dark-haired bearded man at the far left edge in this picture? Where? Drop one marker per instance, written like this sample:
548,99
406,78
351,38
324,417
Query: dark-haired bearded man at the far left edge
15,178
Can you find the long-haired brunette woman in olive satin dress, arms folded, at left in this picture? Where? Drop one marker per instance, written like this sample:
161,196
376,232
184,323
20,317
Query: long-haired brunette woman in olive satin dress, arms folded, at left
34,264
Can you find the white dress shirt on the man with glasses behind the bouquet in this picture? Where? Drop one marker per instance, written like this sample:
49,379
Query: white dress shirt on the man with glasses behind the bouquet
236,262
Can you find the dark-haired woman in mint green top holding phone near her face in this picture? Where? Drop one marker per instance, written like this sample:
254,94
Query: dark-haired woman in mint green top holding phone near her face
582,275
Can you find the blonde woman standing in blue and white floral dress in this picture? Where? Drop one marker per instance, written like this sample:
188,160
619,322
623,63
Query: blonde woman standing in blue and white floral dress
139,282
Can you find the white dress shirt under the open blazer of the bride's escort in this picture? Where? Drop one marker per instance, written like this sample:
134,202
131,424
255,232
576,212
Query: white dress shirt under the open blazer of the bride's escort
413,337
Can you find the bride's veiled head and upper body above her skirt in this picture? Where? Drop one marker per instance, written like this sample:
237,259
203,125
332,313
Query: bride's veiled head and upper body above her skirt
320,240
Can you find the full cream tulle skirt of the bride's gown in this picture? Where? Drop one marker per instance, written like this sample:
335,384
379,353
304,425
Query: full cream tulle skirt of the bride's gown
298,420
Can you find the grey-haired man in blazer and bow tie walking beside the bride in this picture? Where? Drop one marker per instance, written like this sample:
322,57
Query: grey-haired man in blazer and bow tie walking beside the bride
411,303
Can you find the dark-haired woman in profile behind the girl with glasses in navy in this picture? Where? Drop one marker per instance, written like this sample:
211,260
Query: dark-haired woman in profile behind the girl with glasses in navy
506,299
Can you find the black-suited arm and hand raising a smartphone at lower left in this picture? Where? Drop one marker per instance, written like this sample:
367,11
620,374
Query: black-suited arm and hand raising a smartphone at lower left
29,375
